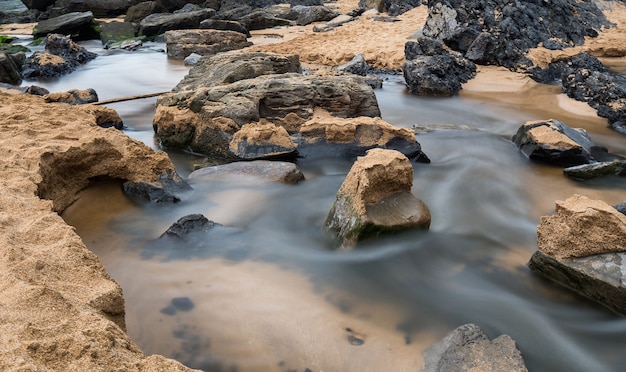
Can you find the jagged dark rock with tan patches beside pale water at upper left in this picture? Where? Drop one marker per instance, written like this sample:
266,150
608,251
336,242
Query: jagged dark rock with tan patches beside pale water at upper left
61,56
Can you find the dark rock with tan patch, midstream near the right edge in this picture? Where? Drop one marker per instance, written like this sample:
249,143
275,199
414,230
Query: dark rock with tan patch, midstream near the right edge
554,142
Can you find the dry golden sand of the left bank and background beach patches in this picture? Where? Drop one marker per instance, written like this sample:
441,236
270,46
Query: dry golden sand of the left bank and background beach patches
59,309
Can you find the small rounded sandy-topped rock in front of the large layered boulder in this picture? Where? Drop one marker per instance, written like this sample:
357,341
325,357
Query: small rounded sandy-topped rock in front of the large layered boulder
262,140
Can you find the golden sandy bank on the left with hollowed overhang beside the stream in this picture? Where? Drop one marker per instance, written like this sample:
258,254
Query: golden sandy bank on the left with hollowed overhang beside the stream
60,309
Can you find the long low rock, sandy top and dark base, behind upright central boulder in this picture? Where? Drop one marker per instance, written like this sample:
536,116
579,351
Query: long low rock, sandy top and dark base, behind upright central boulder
329,137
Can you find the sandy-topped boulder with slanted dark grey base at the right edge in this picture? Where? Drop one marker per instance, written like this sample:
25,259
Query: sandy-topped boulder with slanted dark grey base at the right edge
582,247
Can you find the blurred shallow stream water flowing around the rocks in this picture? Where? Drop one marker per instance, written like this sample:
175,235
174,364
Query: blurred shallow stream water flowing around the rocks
269,293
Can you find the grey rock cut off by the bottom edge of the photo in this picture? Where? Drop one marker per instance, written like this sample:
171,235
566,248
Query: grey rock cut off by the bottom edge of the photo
468,348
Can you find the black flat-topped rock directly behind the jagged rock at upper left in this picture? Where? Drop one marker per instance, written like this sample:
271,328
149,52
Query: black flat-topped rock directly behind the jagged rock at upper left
78,25
